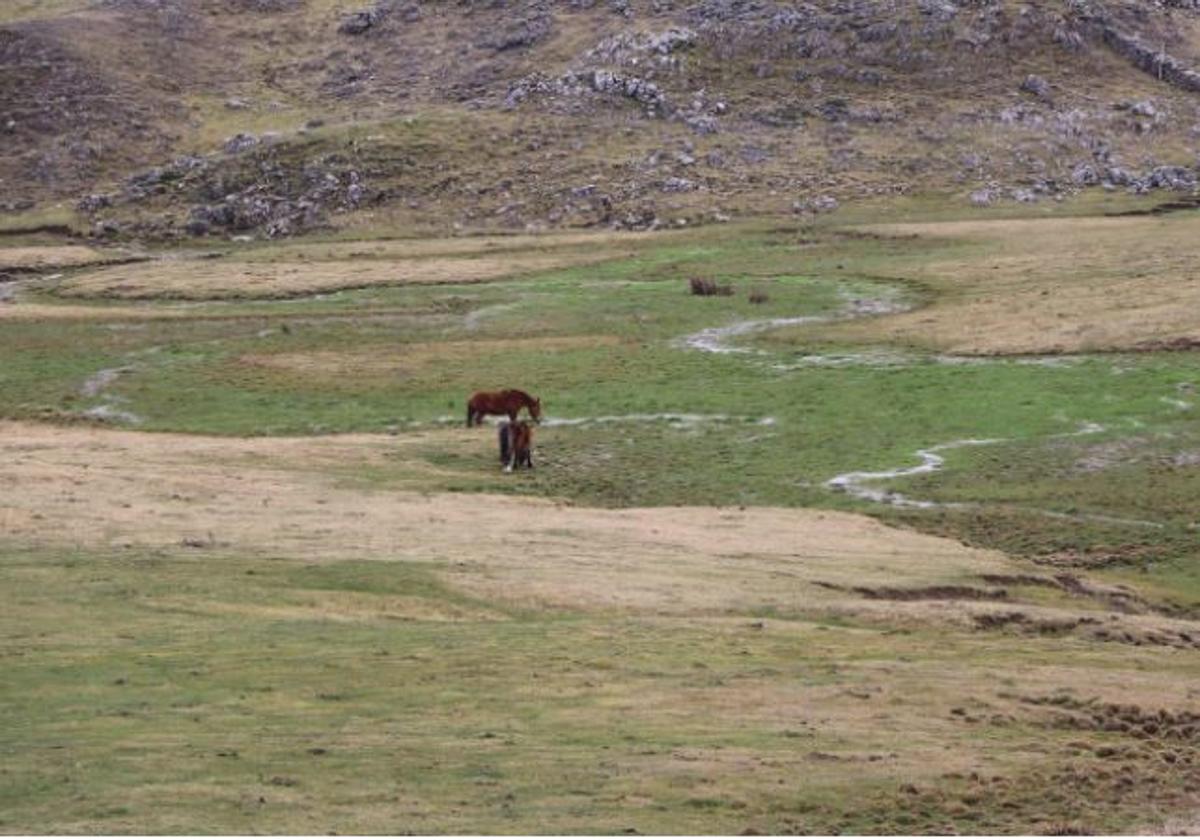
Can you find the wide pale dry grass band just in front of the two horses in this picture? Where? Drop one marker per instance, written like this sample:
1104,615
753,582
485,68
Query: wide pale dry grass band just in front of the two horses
267,497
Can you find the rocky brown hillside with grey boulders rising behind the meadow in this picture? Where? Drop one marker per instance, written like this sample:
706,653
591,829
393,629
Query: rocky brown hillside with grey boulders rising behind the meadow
202,118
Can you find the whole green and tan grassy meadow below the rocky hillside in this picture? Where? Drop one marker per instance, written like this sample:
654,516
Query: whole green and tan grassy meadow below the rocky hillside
175,673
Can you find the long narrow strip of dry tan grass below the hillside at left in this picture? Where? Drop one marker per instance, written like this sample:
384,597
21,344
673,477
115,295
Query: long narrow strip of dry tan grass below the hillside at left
219,280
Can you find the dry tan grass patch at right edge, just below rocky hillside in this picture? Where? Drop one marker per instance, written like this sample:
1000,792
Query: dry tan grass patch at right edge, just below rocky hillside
1048,286
